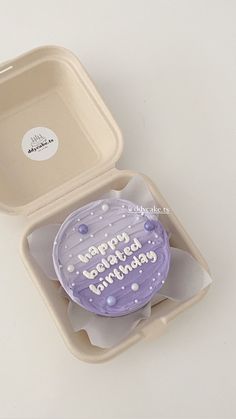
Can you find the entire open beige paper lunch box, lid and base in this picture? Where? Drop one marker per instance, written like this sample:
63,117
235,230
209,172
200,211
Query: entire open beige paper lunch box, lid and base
47,94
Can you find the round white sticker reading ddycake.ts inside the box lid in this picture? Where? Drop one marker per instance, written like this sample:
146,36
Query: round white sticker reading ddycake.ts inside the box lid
39,143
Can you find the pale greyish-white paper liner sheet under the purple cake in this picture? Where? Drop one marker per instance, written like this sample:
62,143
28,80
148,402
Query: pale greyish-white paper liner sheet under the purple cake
185,279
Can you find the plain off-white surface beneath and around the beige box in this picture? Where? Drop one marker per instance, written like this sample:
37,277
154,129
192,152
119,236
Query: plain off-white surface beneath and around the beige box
167,70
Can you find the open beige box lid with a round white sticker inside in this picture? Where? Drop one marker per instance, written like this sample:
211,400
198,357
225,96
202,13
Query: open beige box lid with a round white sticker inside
55,131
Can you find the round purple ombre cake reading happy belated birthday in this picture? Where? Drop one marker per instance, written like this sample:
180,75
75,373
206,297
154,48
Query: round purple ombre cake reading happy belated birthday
110,259
